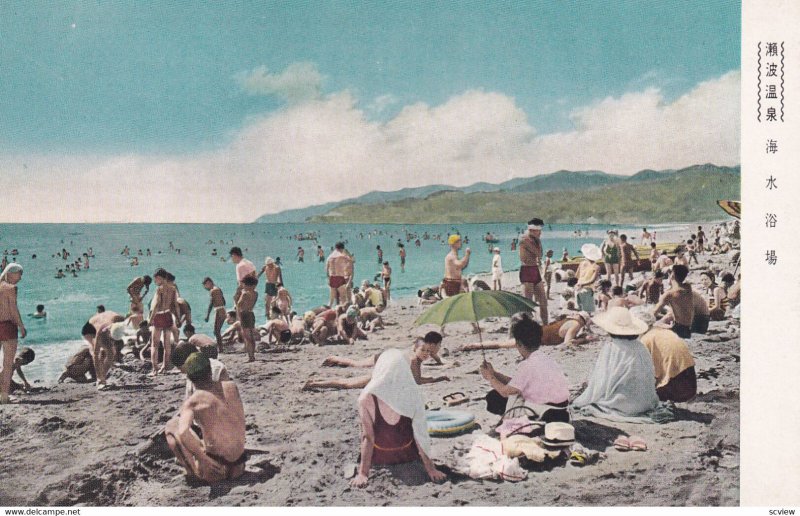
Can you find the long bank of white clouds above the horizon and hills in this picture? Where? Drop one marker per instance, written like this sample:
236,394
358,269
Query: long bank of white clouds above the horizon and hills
326,149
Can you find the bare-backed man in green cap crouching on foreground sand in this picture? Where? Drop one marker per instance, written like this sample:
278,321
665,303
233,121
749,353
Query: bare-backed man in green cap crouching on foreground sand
217,409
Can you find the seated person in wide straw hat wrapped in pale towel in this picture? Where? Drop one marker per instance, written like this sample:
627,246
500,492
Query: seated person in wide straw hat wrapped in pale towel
622,384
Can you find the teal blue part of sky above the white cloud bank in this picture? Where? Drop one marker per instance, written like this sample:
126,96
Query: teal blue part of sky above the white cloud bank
156,80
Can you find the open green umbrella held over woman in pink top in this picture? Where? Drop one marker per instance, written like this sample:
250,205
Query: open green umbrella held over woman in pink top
474,307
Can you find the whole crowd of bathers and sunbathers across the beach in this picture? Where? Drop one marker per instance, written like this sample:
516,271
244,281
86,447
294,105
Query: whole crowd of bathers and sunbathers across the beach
643,301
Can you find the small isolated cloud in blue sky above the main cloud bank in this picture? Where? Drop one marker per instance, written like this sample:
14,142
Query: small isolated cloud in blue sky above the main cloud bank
299,82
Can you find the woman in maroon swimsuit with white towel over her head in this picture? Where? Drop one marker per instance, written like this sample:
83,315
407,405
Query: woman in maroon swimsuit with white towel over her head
393,400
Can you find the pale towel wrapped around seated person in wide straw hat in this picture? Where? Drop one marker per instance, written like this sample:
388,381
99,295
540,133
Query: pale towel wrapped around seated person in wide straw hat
621,386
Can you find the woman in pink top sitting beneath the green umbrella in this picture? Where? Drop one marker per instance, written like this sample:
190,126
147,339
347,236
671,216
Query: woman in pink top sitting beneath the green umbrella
539,383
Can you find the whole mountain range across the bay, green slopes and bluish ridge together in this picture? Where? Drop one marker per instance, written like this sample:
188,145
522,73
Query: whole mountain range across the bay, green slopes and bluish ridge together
647,197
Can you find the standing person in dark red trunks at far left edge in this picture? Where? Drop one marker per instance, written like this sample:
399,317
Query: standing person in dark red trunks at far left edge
11,325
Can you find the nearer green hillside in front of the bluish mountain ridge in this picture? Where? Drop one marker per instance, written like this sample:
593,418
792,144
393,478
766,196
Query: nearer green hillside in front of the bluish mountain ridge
687,195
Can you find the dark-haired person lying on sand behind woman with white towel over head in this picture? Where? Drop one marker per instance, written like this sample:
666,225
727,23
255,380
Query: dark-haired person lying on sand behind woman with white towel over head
422,349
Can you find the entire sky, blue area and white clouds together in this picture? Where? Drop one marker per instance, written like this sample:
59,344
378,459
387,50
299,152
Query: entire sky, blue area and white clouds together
205,113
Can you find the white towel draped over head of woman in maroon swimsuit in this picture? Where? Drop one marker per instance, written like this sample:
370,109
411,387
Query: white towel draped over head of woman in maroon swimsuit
393,383
